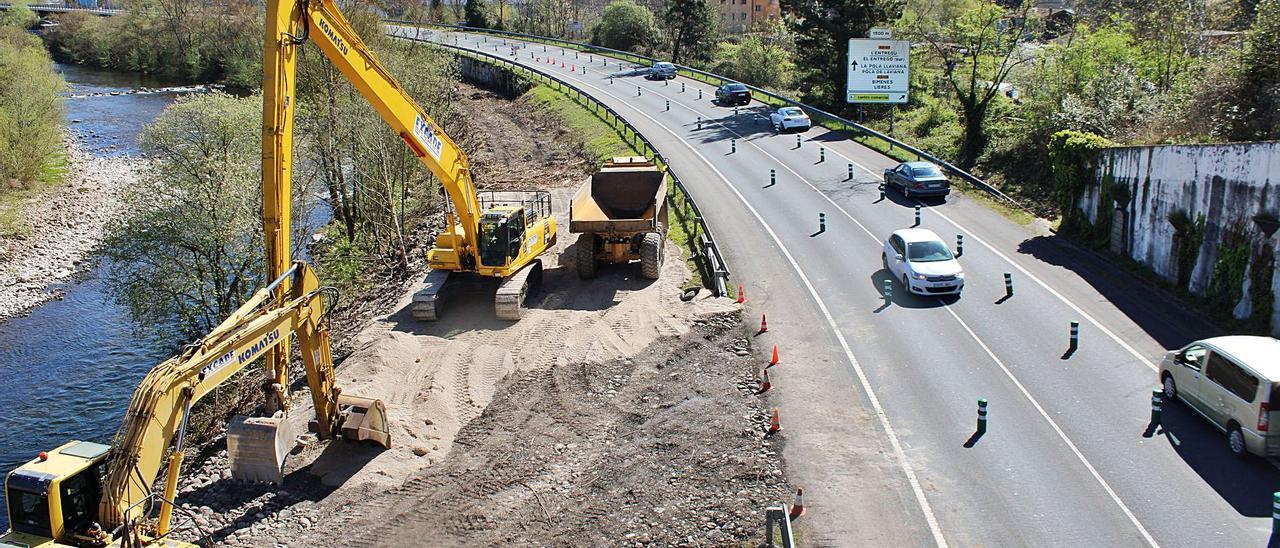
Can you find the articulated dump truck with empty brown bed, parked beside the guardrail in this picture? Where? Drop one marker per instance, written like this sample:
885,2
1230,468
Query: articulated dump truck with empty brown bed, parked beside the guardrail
623,217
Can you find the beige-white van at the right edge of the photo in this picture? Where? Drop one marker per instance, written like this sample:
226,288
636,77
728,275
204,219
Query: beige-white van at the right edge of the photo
1233,382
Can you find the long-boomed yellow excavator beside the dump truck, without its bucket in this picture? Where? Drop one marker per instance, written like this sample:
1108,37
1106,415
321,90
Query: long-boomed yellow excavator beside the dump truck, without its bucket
491,235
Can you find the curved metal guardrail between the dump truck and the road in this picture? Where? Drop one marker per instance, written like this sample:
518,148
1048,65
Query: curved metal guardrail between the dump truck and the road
702,234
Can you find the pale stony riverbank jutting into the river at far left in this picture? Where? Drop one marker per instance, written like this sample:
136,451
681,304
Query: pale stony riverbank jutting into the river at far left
63,229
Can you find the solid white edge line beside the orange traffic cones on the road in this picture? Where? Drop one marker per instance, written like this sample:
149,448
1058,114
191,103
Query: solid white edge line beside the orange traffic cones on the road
831,322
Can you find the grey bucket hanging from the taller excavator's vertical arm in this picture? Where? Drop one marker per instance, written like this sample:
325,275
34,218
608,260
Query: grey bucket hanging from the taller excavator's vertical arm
257,447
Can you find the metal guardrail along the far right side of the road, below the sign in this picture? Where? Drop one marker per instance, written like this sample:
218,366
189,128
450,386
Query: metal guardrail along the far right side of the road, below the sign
719,80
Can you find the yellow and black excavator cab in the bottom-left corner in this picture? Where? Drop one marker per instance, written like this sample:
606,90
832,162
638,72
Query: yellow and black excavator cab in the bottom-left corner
53,499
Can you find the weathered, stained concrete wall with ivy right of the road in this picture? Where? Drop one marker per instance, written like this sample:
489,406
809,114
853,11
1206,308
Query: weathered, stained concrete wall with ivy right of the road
1227,184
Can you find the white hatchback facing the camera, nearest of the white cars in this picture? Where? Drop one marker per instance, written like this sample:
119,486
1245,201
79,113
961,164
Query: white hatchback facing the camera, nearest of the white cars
924,263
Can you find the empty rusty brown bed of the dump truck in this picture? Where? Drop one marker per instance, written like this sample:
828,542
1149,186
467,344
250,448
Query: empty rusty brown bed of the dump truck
620,198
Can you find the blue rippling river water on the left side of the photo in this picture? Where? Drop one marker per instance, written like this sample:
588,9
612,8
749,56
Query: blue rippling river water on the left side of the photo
71,367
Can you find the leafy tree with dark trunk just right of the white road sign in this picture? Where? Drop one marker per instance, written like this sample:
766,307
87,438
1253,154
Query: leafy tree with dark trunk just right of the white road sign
979,51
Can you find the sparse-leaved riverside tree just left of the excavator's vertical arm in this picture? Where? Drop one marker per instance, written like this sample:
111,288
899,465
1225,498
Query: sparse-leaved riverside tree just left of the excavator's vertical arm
191,249
